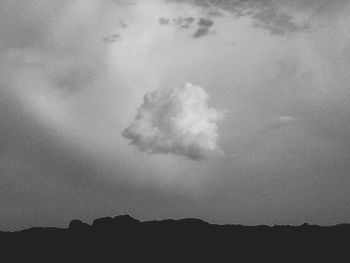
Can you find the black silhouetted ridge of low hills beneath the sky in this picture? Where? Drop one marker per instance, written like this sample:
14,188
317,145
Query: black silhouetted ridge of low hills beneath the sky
186,240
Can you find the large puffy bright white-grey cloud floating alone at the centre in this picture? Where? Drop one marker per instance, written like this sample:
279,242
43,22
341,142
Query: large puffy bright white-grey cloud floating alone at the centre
176,120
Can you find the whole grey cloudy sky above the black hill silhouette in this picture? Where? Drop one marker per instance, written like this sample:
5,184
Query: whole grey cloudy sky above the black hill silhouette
232,111
